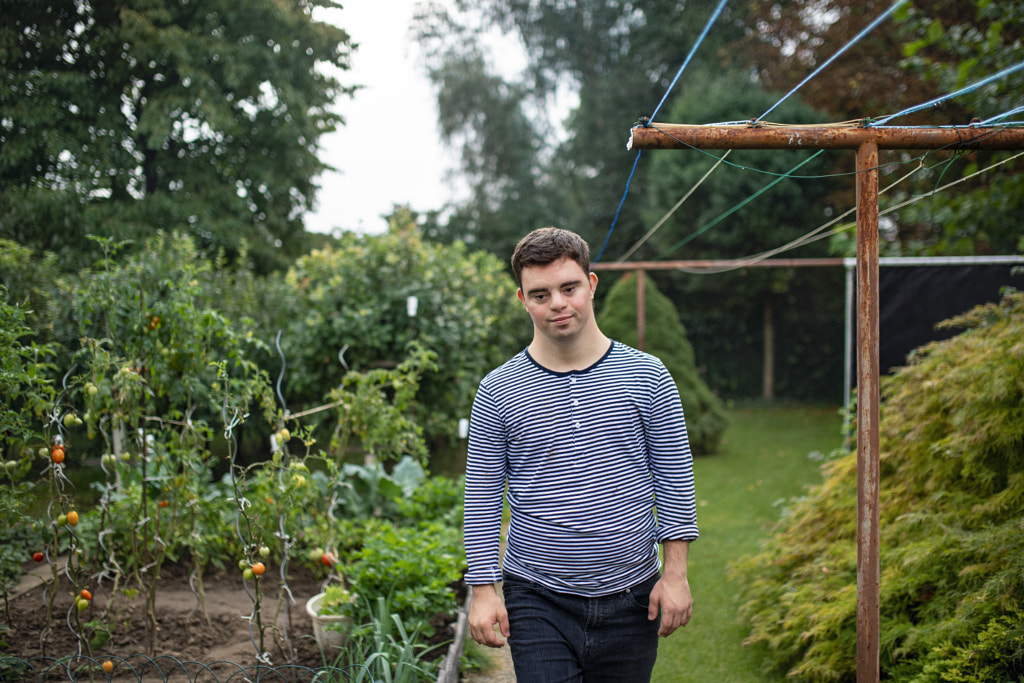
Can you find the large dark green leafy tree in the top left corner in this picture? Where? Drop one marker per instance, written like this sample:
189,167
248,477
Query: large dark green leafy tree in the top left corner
125,117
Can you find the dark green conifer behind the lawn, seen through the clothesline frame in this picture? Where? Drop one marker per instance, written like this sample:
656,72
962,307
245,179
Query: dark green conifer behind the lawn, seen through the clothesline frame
746,207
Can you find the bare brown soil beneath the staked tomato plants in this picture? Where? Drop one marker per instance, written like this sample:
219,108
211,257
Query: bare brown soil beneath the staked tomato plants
222,638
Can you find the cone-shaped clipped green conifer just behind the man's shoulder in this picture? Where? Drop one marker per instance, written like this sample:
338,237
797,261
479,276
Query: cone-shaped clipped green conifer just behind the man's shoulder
666,338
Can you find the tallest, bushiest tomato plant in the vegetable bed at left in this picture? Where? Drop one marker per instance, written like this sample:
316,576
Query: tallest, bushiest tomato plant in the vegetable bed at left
157,372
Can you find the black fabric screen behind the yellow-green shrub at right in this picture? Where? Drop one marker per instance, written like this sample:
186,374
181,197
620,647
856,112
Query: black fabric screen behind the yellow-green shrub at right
914,300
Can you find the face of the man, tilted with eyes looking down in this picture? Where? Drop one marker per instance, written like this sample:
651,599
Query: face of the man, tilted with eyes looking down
560,297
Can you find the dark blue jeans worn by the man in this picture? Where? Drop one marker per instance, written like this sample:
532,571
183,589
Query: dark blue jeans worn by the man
563,638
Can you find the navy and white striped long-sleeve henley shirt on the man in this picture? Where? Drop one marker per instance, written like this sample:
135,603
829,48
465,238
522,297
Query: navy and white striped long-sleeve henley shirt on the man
586,455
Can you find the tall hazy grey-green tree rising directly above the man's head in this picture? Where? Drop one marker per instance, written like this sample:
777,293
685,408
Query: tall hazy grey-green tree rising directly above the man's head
617,58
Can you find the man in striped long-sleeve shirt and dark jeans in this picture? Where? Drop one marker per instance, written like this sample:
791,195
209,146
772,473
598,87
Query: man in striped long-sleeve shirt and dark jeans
589,437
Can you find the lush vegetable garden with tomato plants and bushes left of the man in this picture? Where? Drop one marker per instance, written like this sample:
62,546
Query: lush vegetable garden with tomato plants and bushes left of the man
148,436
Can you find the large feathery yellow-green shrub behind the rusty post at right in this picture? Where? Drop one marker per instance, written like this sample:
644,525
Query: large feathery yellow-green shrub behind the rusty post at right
952,446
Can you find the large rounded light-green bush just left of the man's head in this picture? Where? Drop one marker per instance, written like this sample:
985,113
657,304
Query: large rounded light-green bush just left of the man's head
349,310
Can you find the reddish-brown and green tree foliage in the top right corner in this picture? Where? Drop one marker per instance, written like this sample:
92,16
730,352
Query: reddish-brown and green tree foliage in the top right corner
929,49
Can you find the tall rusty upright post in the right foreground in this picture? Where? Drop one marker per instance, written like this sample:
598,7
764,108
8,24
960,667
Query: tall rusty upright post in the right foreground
868,415
